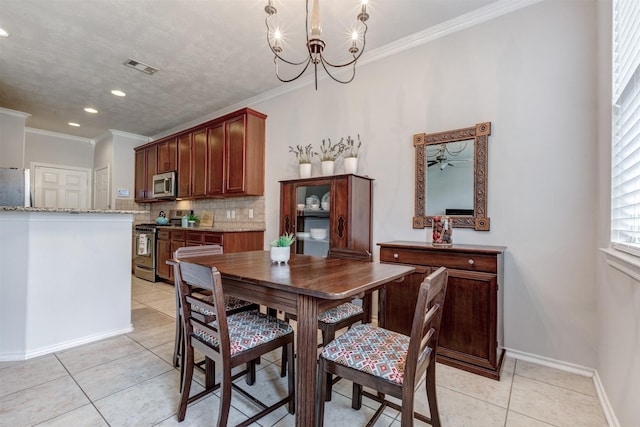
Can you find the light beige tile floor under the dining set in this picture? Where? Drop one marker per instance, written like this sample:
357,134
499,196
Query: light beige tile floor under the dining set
128,380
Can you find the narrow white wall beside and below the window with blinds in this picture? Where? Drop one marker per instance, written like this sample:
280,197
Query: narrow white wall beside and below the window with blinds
618,363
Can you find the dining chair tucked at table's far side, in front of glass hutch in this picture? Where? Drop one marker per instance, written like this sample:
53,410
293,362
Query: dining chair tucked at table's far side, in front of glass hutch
344,315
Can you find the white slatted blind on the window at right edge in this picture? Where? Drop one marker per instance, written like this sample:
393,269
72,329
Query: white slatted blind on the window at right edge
625,166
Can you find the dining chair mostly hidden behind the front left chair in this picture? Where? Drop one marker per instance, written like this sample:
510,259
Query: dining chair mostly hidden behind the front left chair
232,305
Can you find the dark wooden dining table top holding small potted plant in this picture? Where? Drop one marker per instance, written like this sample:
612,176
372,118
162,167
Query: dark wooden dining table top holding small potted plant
319,277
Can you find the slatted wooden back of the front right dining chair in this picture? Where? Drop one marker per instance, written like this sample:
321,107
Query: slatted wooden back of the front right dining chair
426,324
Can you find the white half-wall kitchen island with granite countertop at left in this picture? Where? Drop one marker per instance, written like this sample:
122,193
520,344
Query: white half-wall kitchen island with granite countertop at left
65,278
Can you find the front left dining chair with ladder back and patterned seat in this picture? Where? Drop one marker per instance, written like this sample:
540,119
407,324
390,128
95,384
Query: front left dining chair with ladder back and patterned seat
226,340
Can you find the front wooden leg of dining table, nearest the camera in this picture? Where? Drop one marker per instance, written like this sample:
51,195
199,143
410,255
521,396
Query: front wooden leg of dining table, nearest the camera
306,369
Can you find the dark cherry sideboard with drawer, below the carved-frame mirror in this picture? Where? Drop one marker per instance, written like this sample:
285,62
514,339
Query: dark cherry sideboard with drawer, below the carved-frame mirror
471,334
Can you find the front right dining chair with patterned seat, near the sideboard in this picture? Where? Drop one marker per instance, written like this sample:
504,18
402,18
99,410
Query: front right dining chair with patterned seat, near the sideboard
389,362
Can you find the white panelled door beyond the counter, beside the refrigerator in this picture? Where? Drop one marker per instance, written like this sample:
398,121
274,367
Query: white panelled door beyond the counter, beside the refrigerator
61,187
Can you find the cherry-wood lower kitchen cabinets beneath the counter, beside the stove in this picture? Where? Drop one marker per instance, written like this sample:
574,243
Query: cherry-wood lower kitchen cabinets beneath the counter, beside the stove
171,239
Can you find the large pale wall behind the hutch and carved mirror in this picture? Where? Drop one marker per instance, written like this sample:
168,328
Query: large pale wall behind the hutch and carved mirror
532,74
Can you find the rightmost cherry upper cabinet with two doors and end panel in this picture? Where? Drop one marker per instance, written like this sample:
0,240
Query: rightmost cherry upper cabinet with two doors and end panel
235,154
